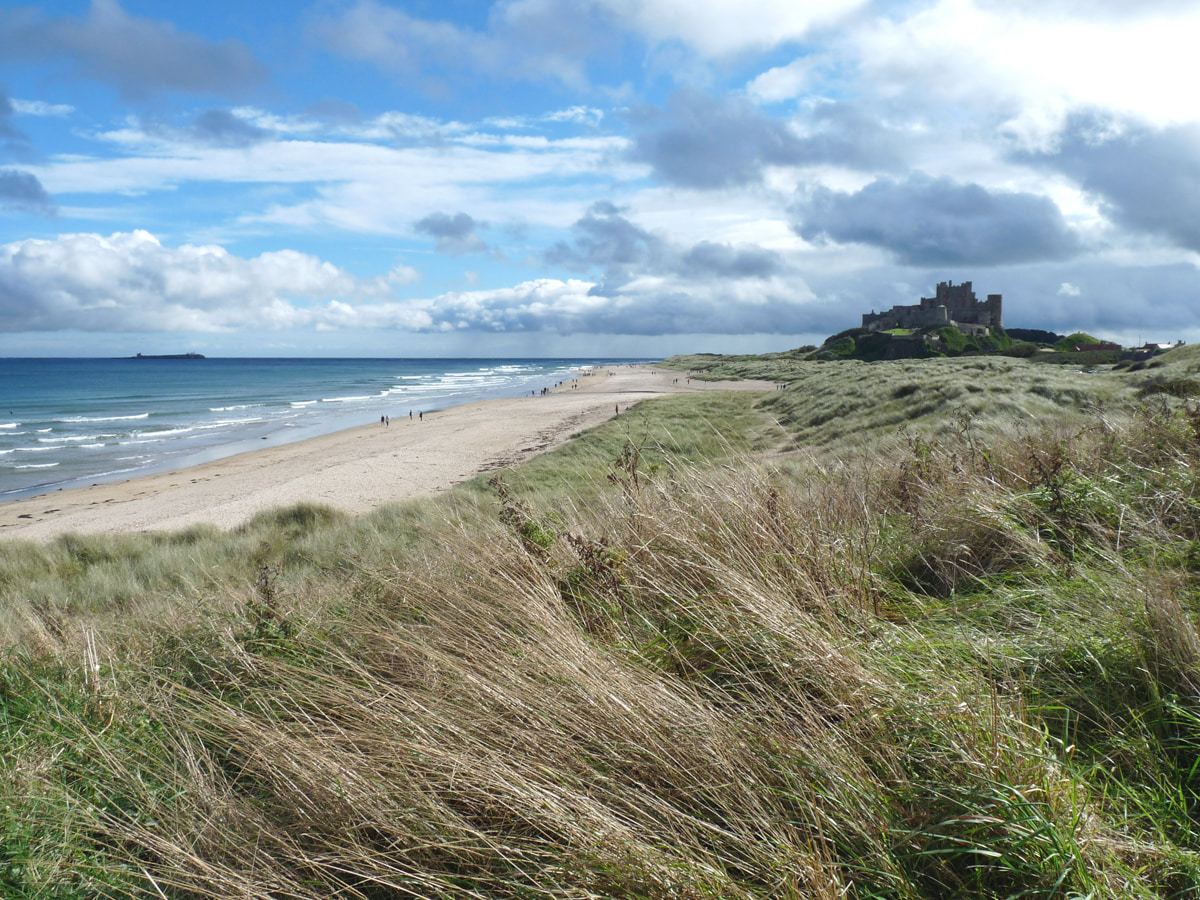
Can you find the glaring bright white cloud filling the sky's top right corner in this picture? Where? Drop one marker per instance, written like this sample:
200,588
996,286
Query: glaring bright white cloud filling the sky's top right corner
1041,64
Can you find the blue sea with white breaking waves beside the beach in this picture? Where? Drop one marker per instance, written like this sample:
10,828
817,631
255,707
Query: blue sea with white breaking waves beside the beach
69,423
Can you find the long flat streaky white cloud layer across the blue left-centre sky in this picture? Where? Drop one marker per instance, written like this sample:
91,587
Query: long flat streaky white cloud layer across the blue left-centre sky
362,187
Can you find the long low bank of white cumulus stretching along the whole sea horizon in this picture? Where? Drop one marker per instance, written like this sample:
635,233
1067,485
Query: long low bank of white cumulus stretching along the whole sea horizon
131,283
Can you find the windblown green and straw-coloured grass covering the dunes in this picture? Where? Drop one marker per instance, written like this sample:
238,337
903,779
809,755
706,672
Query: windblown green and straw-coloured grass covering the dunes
914,629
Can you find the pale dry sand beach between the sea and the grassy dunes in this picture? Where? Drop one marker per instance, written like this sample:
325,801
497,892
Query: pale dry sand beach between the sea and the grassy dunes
356,470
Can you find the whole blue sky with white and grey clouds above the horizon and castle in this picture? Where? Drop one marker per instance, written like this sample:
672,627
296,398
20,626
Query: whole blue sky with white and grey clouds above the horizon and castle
574,178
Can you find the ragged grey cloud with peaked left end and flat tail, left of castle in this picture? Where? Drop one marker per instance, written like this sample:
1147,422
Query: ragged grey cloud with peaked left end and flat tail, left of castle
604,239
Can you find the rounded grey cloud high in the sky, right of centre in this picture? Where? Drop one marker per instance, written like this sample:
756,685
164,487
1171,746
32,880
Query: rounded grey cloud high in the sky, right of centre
700,141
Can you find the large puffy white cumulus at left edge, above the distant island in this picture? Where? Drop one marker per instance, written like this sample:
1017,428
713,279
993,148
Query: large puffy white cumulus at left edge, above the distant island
131,283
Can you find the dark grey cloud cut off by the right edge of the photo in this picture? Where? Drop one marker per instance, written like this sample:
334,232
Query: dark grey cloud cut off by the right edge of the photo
1149,181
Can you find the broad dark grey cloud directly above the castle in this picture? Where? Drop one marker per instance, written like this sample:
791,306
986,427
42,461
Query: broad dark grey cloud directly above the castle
927,221
